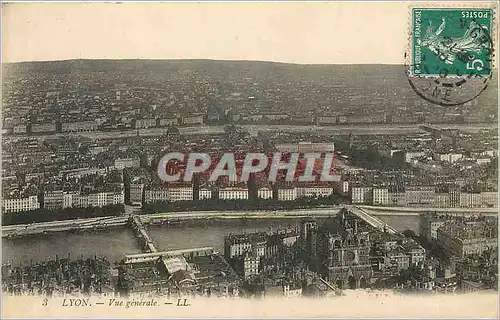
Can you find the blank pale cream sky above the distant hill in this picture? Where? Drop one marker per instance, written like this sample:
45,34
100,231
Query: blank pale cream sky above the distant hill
307,33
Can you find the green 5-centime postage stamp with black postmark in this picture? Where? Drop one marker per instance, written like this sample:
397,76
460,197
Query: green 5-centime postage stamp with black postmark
451,42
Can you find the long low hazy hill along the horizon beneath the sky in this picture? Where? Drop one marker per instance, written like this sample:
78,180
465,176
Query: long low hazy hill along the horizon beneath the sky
348,85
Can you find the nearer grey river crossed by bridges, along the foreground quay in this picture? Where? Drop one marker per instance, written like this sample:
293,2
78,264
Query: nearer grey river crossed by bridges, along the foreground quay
116,242
